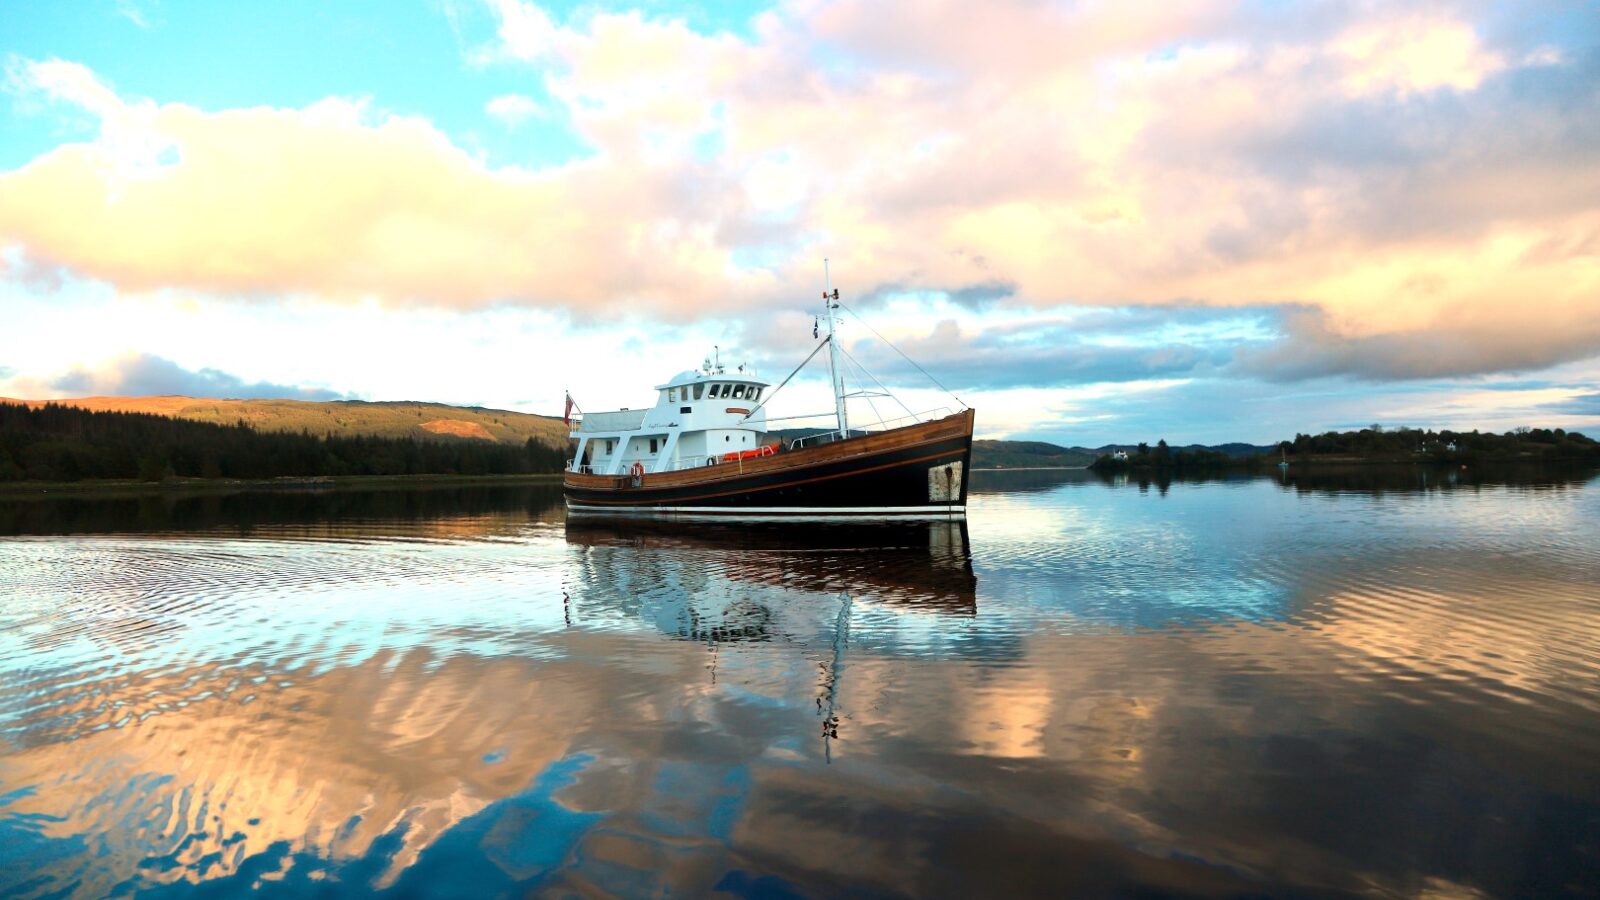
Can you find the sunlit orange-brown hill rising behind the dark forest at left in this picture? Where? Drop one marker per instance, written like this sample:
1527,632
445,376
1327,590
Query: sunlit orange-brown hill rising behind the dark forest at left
404,419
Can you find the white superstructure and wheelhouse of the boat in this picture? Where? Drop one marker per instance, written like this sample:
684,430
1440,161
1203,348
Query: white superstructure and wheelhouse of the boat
698,419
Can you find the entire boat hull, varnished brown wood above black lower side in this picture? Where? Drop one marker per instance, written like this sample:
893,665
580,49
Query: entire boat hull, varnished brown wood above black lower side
908,473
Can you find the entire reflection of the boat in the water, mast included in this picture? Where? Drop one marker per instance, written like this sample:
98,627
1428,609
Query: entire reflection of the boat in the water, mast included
761,584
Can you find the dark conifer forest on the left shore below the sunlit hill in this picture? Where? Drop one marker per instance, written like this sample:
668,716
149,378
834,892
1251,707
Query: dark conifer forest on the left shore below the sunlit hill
66,444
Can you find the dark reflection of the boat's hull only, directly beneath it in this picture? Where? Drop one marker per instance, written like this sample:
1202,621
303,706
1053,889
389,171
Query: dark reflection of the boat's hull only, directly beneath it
914,566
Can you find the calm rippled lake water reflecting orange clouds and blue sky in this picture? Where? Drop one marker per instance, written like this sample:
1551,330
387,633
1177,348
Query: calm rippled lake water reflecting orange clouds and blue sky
1377,683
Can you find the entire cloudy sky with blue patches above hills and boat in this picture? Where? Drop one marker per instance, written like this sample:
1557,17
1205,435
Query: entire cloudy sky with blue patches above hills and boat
1094,222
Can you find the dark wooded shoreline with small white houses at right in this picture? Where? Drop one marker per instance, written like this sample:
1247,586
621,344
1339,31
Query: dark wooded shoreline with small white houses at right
1374,444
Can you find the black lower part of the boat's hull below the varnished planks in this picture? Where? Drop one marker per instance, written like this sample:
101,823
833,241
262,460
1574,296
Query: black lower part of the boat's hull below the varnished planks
887,484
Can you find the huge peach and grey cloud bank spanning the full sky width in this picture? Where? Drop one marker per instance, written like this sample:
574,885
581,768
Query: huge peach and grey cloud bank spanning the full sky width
1418,177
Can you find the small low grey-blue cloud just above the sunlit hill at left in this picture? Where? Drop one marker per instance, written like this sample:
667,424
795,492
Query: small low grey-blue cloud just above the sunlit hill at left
142,376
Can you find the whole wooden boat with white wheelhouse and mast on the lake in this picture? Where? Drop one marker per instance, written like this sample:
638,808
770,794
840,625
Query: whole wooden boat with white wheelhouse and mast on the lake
703,452
